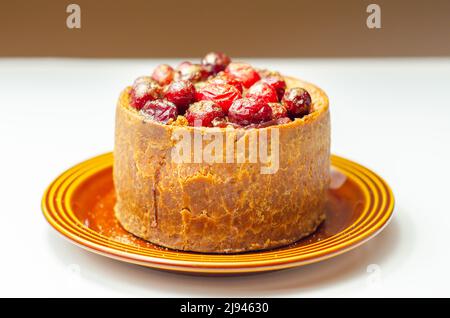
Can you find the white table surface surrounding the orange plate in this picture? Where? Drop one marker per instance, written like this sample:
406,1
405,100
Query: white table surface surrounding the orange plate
391,115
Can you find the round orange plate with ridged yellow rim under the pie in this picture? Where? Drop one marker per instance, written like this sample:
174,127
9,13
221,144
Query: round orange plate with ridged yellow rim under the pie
79,205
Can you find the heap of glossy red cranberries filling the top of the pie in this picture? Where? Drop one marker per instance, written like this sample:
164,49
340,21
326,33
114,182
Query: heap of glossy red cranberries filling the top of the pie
218,93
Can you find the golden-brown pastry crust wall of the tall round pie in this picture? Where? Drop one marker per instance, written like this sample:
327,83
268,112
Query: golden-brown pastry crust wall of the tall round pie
221,207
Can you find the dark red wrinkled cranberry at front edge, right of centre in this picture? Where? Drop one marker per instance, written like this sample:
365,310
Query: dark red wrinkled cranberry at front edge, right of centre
247,111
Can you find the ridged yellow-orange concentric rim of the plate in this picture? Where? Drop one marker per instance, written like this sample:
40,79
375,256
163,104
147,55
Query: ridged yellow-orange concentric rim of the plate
377,211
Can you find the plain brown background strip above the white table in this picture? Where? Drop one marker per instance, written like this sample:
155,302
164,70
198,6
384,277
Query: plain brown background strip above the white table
137,28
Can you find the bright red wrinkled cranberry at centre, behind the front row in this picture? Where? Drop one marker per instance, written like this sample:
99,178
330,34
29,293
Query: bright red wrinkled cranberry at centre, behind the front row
222,94
